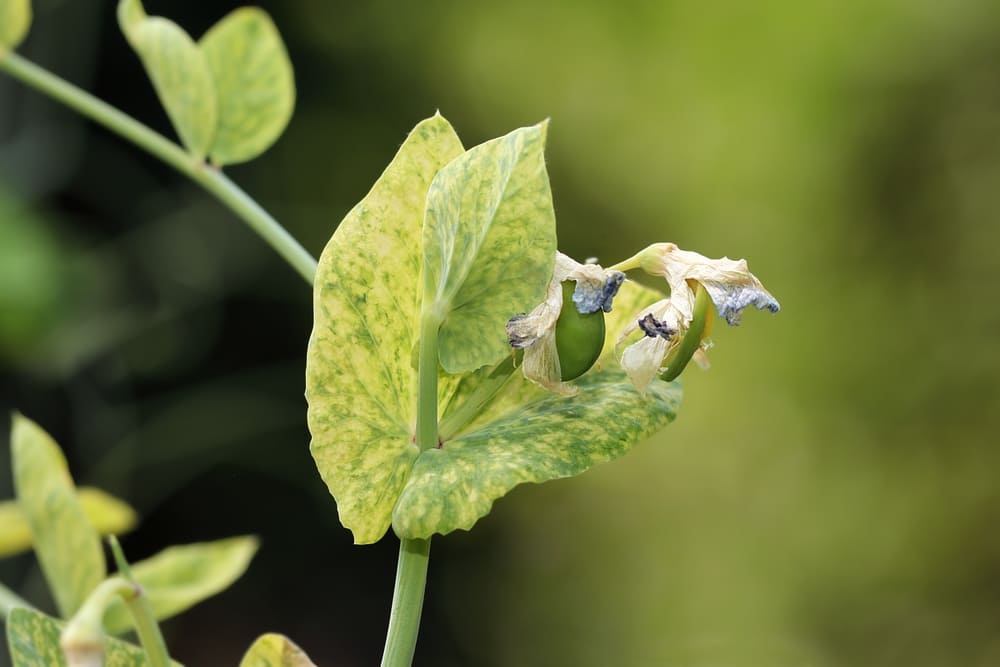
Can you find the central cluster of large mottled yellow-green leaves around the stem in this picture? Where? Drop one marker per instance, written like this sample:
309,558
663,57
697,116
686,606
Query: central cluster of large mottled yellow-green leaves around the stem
488,240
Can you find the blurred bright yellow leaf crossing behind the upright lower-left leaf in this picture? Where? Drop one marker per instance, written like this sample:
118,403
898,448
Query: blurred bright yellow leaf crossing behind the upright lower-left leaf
107,514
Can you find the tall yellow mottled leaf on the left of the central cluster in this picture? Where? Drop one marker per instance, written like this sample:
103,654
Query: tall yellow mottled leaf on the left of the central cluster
360,381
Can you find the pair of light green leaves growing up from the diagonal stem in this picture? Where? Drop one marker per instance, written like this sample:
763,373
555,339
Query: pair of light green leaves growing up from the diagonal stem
229,96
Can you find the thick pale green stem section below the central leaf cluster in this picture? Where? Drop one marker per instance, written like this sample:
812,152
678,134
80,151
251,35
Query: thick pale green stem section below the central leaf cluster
407,603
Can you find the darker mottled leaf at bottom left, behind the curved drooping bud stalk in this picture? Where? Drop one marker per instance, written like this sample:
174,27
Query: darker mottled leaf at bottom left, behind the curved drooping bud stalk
33,640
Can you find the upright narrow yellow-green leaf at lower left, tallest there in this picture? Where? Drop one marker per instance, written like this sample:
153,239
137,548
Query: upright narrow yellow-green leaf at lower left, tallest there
68,547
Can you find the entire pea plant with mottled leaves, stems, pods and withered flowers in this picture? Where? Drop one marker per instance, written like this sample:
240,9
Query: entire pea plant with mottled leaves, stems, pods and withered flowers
455,354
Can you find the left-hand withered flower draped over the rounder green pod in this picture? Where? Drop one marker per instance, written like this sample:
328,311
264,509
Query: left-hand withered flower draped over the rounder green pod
535,332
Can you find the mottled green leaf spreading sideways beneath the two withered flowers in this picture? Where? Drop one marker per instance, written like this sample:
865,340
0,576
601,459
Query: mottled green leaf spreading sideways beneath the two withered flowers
548,437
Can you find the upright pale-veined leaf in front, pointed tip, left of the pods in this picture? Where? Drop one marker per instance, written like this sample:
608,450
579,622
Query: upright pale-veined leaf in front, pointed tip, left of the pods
489,245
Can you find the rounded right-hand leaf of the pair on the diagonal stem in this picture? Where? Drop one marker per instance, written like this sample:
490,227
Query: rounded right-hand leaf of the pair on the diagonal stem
254,85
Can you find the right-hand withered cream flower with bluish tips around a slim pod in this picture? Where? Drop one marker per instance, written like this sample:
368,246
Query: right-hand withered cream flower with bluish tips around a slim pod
666,324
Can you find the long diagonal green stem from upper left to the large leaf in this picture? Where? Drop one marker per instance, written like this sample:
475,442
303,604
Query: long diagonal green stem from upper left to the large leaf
211,179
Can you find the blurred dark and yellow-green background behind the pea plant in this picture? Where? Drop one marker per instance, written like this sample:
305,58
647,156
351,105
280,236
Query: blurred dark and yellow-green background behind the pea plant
829,494
